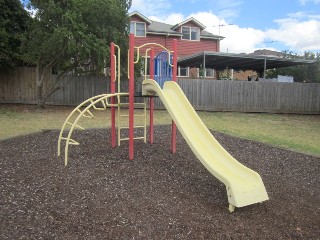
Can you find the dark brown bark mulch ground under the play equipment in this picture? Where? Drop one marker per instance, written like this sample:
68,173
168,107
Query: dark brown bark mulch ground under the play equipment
103,195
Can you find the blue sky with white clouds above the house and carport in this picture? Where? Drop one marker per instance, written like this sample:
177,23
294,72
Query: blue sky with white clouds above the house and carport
292,25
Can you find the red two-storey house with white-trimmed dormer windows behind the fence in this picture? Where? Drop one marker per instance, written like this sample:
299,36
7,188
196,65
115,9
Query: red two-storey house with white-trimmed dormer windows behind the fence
190,34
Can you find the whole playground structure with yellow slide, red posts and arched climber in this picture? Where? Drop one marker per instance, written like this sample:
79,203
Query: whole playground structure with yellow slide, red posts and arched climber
244,186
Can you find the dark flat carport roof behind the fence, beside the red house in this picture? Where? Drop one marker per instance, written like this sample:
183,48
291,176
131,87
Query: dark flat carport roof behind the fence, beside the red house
220,61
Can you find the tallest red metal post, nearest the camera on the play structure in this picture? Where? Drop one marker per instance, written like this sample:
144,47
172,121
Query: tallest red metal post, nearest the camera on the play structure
131,96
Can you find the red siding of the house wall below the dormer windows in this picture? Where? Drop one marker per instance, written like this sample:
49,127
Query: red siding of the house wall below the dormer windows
185,47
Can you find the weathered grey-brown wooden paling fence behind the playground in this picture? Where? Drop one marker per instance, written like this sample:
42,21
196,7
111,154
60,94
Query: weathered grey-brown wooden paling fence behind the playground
209,95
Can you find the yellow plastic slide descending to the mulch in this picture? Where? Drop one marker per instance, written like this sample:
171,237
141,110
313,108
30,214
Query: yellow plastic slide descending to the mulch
244,186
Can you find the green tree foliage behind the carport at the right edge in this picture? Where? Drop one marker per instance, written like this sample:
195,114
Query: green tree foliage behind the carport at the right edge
301,73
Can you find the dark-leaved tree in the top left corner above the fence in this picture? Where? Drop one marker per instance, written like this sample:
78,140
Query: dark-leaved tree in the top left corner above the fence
13,25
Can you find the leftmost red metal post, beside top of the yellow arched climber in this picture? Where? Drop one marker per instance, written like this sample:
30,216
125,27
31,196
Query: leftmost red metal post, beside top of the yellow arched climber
112,90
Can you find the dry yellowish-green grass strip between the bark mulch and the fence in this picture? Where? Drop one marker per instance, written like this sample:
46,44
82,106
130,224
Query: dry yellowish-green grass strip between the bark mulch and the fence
299,133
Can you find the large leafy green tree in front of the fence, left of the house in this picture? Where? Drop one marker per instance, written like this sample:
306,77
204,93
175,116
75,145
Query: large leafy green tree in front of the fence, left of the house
67,34
